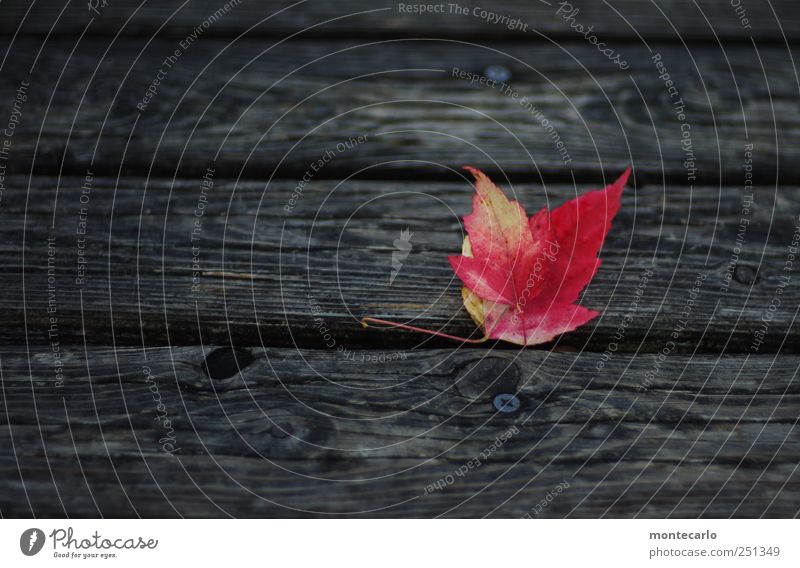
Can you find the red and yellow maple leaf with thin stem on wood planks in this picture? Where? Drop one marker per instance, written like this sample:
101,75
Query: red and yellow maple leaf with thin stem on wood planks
522,276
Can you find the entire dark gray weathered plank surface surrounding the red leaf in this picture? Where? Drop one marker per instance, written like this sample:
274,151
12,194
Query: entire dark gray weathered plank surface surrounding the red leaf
179,328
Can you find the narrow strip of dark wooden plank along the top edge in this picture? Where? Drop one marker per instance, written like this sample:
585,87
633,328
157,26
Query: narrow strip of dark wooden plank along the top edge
666,19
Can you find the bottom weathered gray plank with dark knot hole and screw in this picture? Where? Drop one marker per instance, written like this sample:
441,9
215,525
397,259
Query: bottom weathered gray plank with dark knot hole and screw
308,432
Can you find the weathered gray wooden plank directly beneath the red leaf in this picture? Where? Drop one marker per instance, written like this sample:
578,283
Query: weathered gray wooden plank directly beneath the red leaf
254,267
